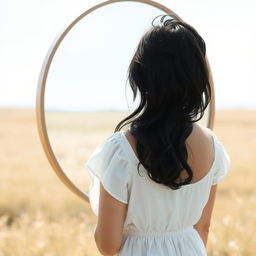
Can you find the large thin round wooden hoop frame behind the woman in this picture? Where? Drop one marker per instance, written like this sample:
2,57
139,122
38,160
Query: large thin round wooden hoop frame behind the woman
40,113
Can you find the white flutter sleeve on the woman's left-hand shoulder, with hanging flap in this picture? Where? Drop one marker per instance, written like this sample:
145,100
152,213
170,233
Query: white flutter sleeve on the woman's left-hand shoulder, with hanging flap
108,165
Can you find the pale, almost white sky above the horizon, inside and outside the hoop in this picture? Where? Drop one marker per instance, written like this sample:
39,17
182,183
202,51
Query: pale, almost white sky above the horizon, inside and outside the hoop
88,70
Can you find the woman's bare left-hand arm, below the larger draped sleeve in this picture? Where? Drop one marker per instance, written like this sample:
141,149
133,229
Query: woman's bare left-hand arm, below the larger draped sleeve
109,231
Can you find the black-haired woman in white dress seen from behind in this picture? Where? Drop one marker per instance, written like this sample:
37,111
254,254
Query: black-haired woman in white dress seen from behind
153,185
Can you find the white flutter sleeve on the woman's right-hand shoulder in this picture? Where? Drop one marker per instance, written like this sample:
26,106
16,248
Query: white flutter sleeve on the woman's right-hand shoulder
222,162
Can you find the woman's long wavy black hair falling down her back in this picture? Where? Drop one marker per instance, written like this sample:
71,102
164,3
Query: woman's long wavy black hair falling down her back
170,73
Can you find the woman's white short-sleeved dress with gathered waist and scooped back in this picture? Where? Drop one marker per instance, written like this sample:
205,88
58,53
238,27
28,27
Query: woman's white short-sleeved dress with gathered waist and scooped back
159,220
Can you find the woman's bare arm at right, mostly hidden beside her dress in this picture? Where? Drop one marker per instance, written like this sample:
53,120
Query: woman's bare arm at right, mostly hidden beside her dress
203,225
